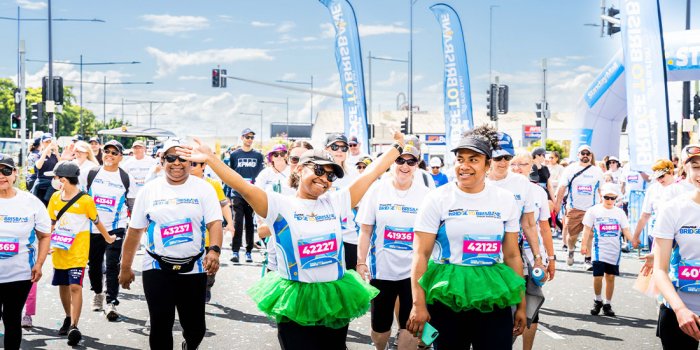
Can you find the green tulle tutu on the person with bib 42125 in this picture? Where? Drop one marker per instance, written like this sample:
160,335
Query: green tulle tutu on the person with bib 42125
472,287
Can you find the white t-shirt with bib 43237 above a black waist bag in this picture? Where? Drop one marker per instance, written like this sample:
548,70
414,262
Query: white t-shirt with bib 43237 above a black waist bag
175,217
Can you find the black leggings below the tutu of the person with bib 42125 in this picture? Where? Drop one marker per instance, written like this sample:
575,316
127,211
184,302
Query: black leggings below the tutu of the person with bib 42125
460,330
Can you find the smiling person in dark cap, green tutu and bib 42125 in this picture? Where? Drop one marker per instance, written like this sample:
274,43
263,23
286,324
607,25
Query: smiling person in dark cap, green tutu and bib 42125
475,276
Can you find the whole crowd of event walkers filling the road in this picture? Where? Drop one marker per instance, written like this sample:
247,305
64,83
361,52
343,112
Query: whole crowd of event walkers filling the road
451,250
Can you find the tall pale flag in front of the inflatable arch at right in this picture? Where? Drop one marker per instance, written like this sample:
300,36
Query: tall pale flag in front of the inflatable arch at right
647,96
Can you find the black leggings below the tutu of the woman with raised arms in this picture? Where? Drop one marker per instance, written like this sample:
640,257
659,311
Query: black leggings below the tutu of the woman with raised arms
293,336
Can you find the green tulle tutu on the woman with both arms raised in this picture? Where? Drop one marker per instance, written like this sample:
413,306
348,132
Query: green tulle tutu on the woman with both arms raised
330,304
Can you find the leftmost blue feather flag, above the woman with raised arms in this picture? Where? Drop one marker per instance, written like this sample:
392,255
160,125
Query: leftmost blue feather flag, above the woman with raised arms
348,56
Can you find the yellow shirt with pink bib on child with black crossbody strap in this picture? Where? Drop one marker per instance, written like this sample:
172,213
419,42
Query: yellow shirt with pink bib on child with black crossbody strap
76,220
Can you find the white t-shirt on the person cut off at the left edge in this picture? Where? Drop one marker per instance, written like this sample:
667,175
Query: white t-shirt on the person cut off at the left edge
20,216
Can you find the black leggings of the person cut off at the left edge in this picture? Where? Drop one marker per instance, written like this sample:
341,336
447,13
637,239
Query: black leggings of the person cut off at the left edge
13,295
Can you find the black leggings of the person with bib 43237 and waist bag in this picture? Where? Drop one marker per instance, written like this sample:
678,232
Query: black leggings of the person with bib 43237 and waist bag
166,291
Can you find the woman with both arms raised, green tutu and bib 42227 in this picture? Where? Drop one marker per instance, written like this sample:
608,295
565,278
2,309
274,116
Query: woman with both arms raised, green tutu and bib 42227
311,296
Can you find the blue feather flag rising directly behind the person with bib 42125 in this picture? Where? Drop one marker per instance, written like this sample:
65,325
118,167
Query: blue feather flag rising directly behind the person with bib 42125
457,93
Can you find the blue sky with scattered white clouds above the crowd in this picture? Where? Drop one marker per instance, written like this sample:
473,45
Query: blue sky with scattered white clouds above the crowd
178,42
